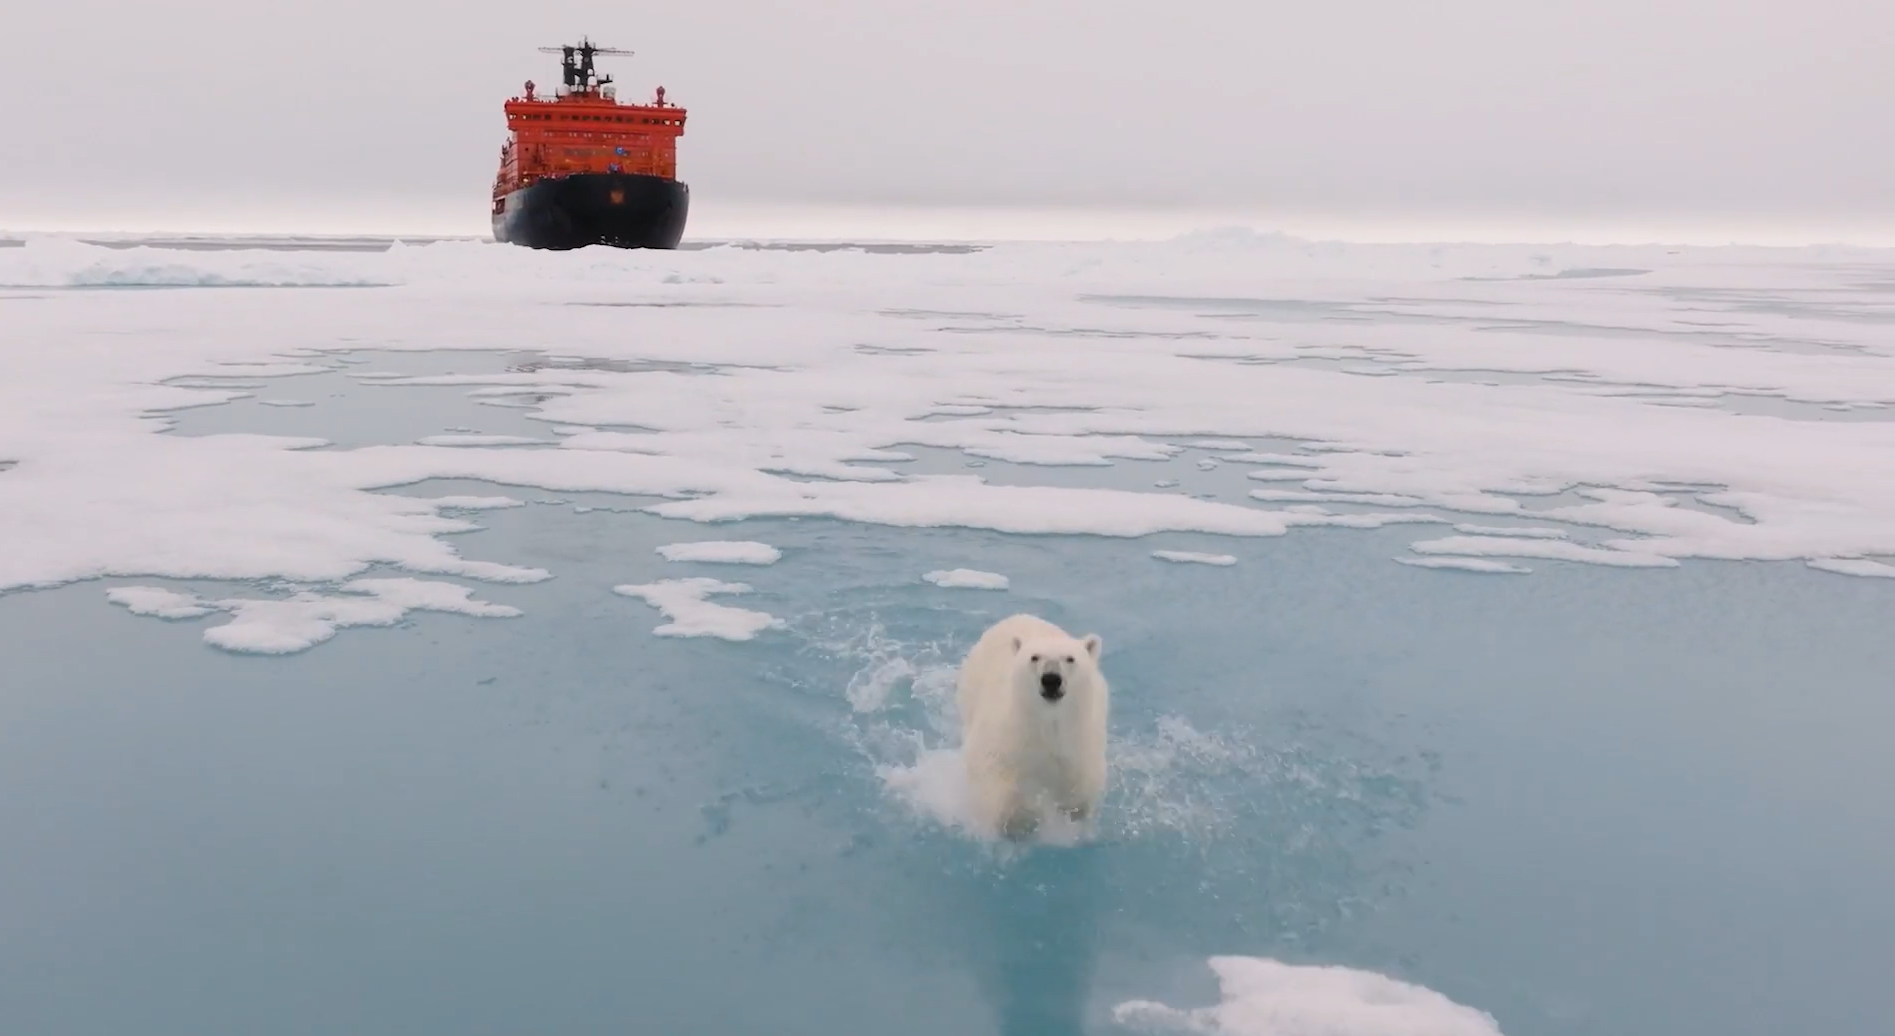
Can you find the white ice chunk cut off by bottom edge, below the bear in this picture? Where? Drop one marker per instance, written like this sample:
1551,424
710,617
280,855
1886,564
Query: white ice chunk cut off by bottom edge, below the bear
1265,997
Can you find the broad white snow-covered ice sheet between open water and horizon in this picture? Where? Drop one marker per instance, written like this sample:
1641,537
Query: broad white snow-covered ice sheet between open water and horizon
804,384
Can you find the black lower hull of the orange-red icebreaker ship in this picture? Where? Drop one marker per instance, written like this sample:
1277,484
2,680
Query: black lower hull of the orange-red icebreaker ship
617,209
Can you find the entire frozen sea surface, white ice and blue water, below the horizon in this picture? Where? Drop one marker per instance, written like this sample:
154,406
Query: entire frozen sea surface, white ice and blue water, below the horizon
437,704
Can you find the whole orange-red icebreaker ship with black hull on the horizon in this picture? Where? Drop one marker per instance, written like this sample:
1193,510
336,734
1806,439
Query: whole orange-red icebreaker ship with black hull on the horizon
581,168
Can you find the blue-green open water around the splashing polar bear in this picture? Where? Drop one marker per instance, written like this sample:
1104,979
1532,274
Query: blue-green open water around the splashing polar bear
1587,802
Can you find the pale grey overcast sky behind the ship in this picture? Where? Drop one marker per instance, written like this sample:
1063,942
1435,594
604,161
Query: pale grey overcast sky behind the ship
1725,111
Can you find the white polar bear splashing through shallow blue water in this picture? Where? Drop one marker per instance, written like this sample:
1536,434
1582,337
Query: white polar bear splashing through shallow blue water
1034,719
